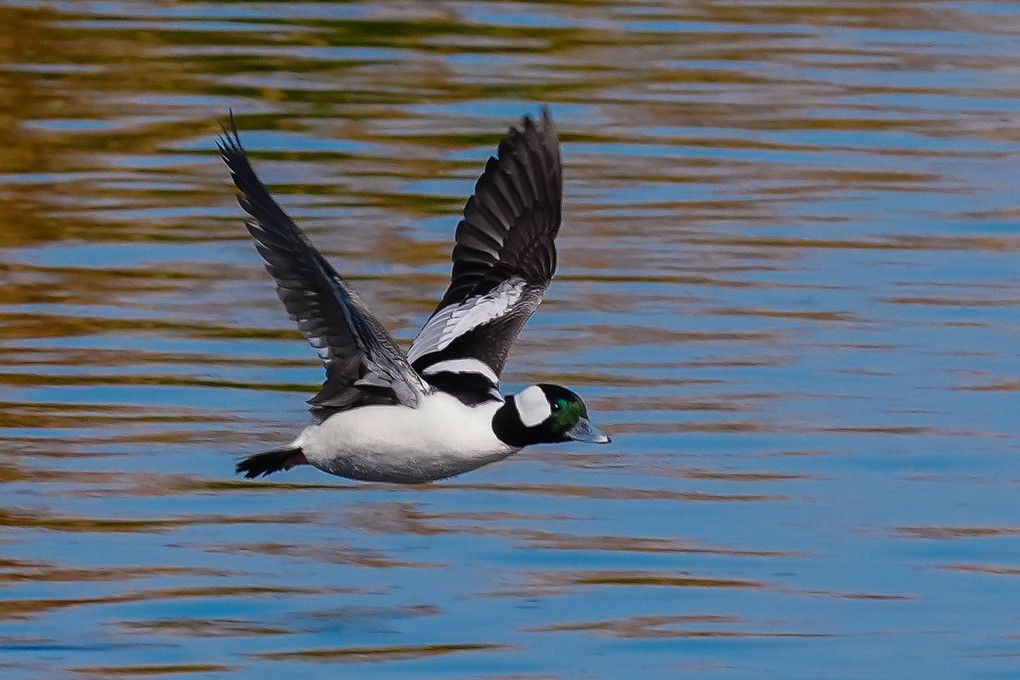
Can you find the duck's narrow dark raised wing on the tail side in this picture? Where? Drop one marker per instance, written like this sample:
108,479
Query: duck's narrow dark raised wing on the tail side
364,364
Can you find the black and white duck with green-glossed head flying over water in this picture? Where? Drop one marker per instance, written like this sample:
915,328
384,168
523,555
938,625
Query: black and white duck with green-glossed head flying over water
436,411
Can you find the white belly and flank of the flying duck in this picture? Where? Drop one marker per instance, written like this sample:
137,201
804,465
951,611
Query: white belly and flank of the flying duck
440,439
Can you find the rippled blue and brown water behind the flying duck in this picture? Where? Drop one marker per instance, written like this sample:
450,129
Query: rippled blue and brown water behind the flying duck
789,287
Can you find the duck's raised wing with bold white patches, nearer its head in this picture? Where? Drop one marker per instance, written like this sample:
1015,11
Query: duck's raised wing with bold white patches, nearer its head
503,261
